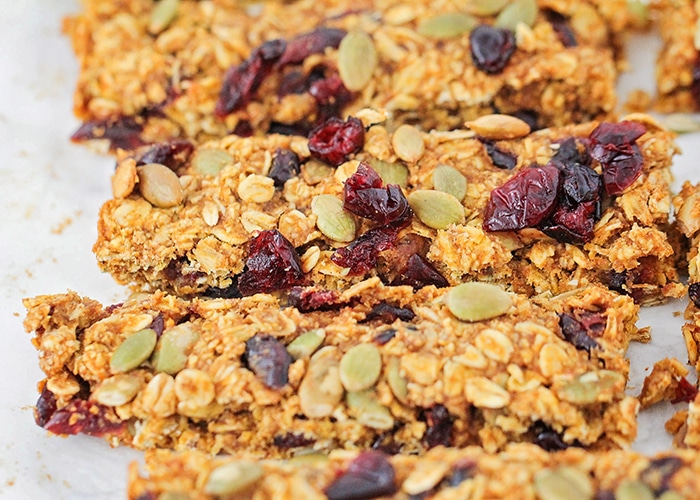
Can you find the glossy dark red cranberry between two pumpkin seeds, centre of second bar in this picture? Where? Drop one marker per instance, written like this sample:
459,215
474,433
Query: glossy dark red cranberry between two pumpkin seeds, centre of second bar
365,197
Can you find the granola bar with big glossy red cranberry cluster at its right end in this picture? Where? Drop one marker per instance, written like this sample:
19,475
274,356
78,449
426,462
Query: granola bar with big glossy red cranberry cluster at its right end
203,238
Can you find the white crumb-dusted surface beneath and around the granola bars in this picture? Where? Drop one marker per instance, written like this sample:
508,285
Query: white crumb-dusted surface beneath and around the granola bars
50,192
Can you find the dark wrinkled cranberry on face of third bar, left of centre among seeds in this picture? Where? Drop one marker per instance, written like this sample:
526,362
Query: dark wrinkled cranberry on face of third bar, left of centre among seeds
268,359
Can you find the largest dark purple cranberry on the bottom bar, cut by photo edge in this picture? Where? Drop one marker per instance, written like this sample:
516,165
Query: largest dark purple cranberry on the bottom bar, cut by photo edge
369,475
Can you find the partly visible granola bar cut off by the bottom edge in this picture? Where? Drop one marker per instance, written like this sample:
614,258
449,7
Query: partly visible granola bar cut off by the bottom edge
521,471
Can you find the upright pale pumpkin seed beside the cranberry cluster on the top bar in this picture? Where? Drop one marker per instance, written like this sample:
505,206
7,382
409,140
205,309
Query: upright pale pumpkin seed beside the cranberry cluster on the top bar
357,60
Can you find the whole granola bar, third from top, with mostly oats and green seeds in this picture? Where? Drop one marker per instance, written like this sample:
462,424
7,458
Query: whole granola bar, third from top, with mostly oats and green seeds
378,366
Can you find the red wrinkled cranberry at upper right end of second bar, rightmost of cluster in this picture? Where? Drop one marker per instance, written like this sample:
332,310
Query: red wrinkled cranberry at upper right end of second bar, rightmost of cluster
613,145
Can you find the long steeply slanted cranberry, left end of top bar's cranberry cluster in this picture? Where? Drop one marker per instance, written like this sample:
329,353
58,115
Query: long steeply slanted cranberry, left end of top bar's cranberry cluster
241,81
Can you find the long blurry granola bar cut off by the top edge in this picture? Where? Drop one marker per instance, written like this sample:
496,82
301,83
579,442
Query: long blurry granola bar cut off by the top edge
209,69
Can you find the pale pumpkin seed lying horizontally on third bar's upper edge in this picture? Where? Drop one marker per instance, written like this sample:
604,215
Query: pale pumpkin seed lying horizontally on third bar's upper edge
477,301
